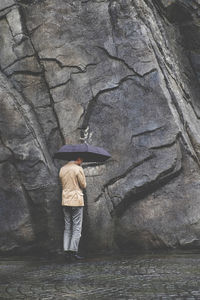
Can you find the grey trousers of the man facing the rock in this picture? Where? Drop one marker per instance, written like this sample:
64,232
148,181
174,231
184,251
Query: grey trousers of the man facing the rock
73,217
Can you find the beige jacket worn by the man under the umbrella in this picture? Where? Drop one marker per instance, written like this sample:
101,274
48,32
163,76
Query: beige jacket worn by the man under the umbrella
73,181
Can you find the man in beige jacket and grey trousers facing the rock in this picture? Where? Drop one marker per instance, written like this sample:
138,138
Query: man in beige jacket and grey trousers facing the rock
73,182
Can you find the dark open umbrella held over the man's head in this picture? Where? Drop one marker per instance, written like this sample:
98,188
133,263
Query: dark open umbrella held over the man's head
88,152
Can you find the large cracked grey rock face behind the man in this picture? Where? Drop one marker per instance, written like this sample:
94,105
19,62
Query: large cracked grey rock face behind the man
125,75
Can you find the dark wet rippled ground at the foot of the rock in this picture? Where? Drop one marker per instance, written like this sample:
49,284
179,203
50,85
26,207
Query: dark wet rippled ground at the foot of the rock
172,276
